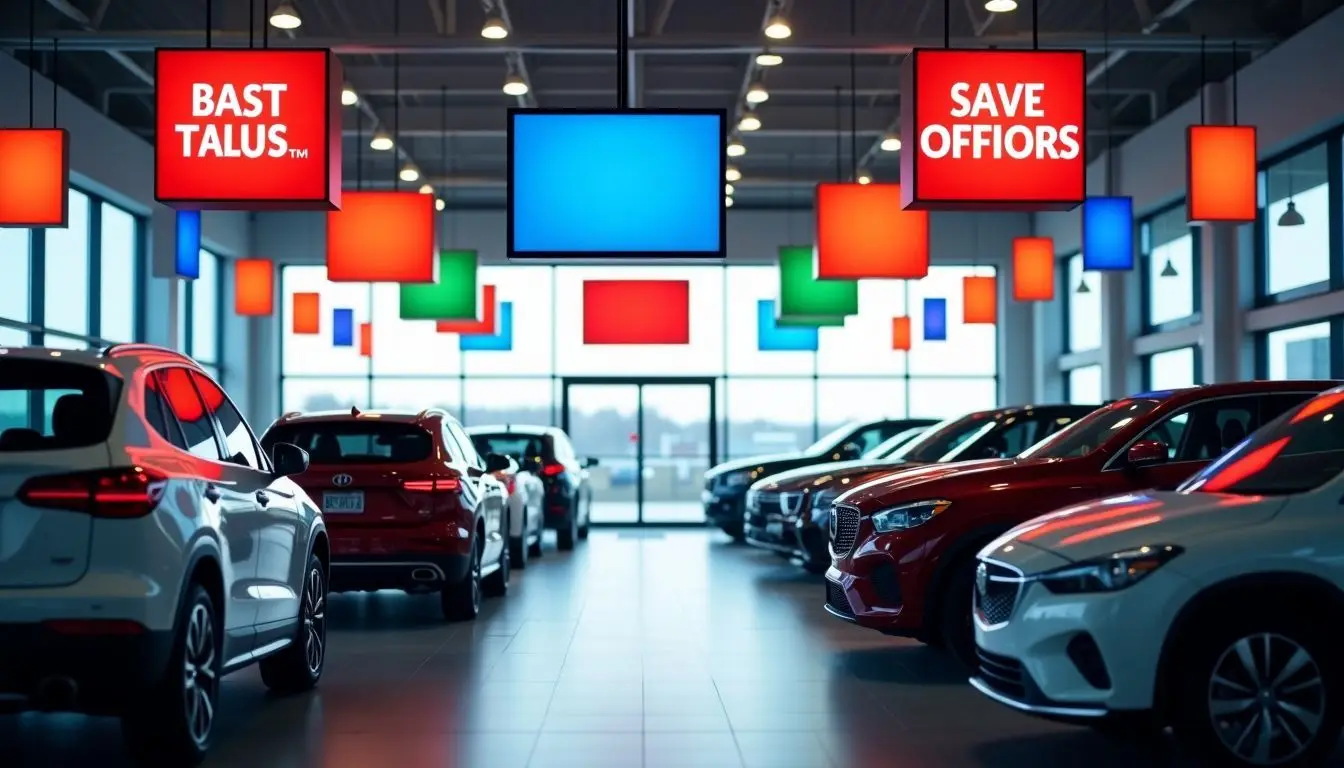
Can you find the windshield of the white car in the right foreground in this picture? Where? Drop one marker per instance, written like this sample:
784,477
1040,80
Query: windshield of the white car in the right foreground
1300,451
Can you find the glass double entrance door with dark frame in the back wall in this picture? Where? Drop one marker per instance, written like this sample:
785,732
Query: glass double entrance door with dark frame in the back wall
653,439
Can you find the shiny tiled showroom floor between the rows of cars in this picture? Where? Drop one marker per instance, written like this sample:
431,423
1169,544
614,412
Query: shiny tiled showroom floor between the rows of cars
658,649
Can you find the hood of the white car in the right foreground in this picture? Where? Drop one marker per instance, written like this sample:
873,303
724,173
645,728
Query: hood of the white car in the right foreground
1131,521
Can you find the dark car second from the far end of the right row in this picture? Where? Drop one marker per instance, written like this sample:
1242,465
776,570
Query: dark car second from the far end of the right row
791,512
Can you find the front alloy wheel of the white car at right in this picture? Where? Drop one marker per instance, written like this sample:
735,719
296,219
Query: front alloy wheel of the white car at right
1267,699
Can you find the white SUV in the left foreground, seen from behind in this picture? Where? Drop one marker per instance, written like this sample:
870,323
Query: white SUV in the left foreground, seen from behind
147,547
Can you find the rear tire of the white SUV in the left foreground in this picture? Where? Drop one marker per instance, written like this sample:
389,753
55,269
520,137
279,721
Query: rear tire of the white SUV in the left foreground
174,723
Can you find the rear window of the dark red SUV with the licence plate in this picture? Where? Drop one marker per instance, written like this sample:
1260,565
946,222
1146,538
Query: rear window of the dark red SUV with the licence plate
355,442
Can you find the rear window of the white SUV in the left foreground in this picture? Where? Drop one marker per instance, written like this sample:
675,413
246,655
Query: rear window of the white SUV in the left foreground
48,406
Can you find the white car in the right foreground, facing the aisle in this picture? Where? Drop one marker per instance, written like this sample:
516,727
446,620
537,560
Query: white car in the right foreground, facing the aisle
1205,610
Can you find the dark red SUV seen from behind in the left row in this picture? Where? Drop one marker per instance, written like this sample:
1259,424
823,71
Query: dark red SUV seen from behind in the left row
409,502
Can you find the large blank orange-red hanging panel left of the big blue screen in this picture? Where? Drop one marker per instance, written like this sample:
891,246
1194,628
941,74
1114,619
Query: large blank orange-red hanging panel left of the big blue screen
381,237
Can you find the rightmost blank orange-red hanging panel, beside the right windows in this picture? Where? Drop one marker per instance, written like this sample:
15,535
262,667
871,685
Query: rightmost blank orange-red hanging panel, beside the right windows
1221,173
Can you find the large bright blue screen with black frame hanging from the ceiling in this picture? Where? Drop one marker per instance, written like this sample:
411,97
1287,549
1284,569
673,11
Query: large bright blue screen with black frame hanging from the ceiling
607,184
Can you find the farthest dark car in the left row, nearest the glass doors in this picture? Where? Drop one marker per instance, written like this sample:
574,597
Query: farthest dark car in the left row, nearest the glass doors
550,455
